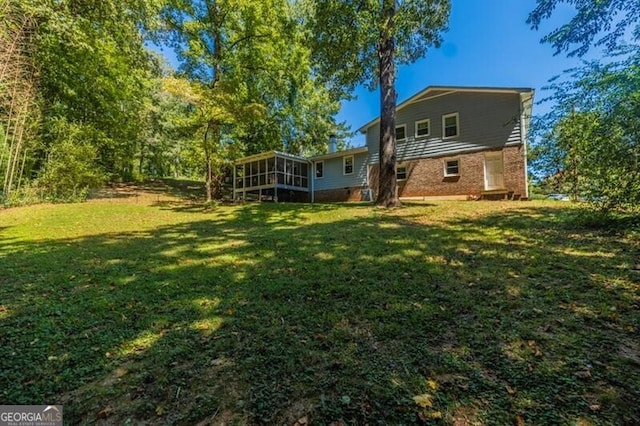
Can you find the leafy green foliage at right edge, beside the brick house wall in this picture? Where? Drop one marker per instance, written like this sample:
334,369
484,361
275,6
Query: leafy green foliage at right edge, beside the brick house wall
593,149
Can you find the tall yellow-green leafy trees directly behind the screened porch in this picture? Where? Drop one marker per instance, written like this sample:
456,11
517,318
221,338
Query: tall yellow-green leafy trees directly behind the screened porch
246,72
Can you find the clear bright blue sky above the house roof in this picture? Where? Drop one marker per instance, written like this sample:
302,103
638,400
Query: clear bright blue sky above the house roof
488,44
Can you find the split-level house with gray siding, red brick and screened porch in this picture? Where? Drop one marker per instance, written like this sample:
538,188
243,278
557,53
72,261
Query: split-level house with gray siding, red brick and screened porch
452,142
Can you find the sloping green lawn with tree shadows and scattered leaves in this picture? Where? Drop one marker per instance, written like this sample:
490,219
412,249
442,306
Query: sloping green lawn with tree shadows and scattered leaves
147,306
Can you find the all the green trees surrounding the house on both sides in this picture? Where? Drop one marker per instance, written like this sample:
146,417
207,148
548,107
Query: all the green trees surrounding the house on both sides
84,101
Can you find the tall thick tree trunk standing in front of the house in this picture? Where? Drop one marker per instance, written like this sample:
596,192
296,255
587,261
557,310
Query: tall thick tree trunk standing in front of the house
387,196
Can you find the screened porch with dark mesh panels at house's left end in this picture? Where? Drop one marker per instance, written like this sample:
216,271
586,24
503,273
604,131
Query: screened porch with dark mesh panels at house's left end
271,176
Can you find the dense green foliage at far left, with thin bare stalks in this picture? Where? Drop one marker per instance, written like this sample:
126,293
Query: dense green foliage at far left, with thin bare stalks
93,73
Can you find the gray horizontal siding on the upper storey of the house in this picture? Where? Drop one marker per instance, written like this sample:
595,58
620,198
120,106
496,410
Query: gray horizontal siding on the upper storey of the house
486,121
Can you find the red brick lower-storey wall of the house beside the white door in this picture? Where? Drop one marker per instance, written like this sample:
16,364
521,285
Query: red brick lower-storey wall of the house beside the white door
425,177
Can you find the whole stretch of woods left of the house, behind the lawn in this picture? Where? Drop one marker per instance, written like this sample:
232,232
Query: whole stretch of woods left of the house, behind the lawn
83,100
